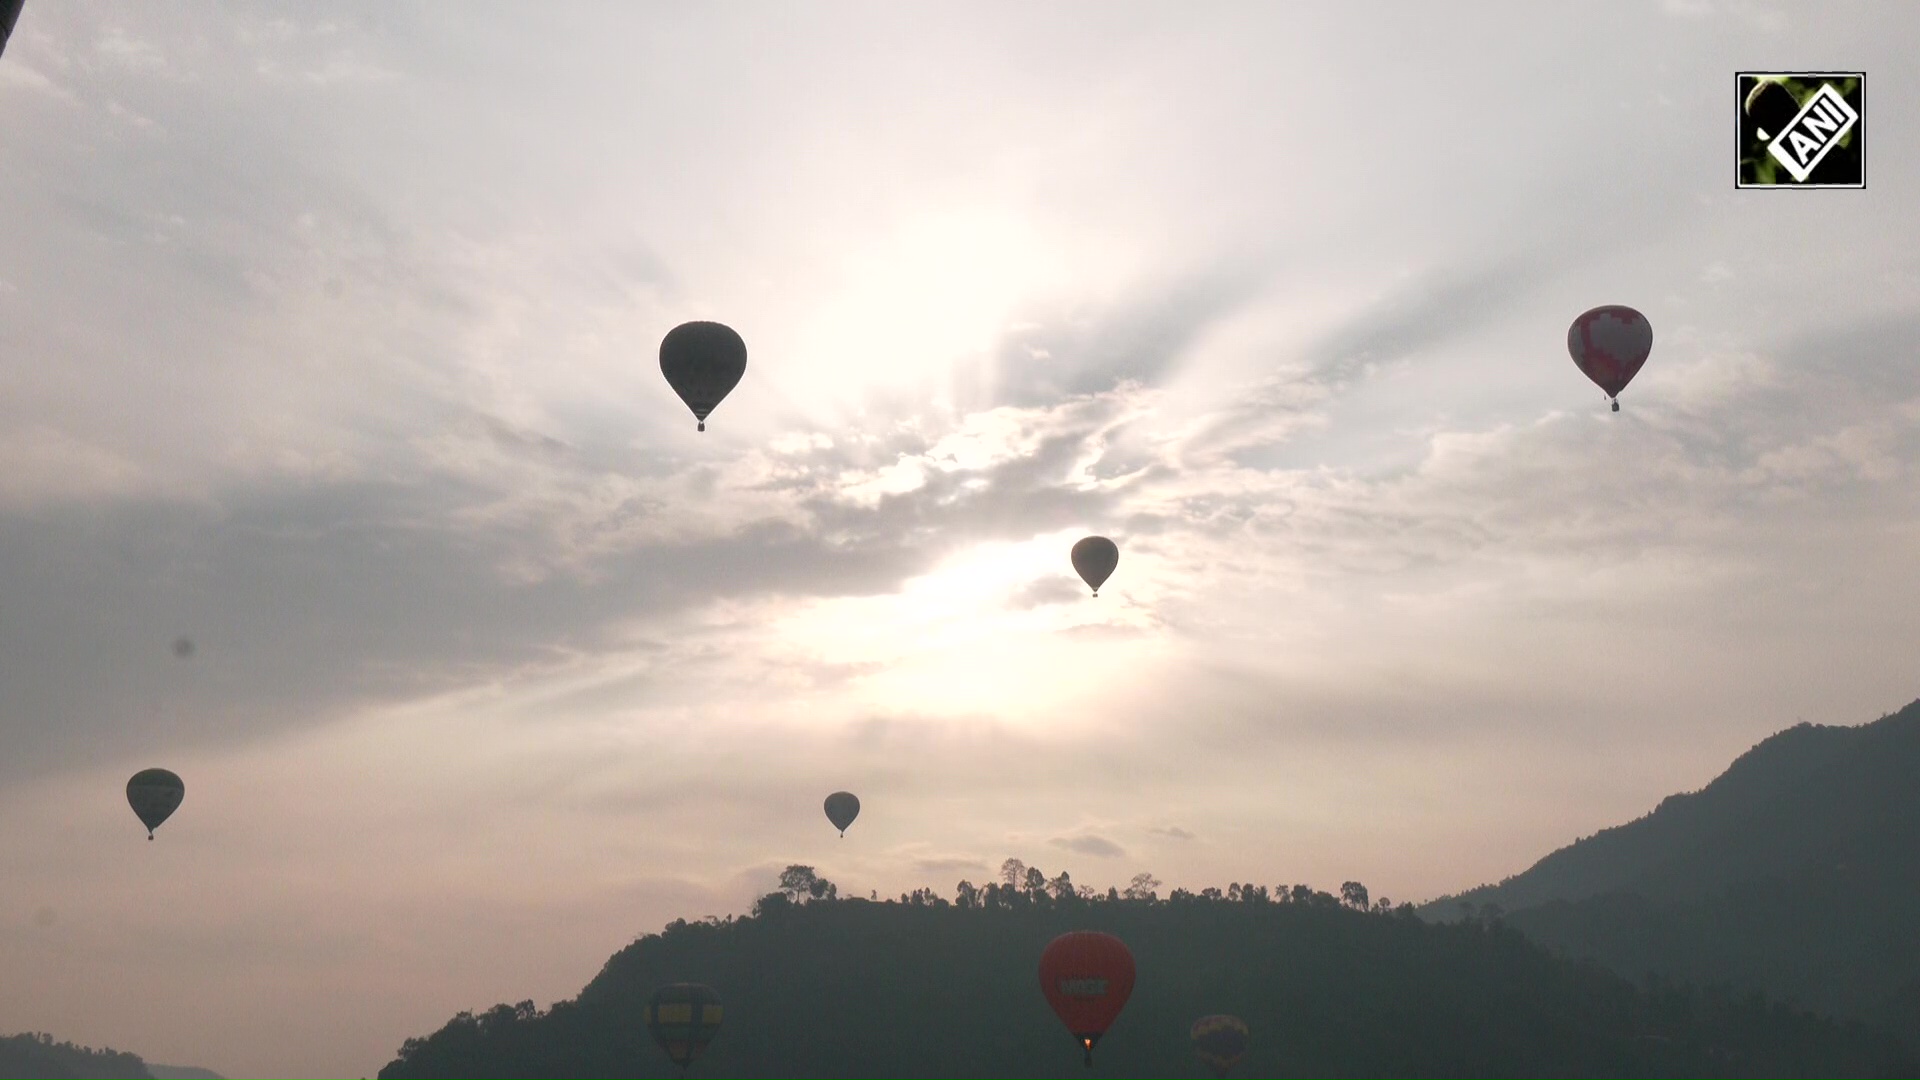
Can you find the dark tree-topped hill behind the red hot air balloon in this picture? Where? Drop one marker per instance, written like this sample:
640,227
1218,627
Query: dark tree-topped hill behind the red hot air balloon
857,991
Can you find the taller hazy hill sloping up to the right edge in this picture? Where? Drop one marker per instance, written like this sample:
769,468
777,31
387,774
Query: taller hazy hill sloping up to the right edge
1798,871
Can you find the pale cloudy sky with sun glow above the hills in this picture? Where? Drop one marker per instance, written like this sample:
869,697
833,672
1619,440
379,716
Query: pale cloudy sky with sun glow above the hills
329,341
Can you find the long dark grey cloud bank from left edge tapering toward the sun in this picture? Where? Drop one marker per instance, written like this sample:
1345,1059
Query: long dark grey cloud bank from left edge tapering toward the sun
502,554
